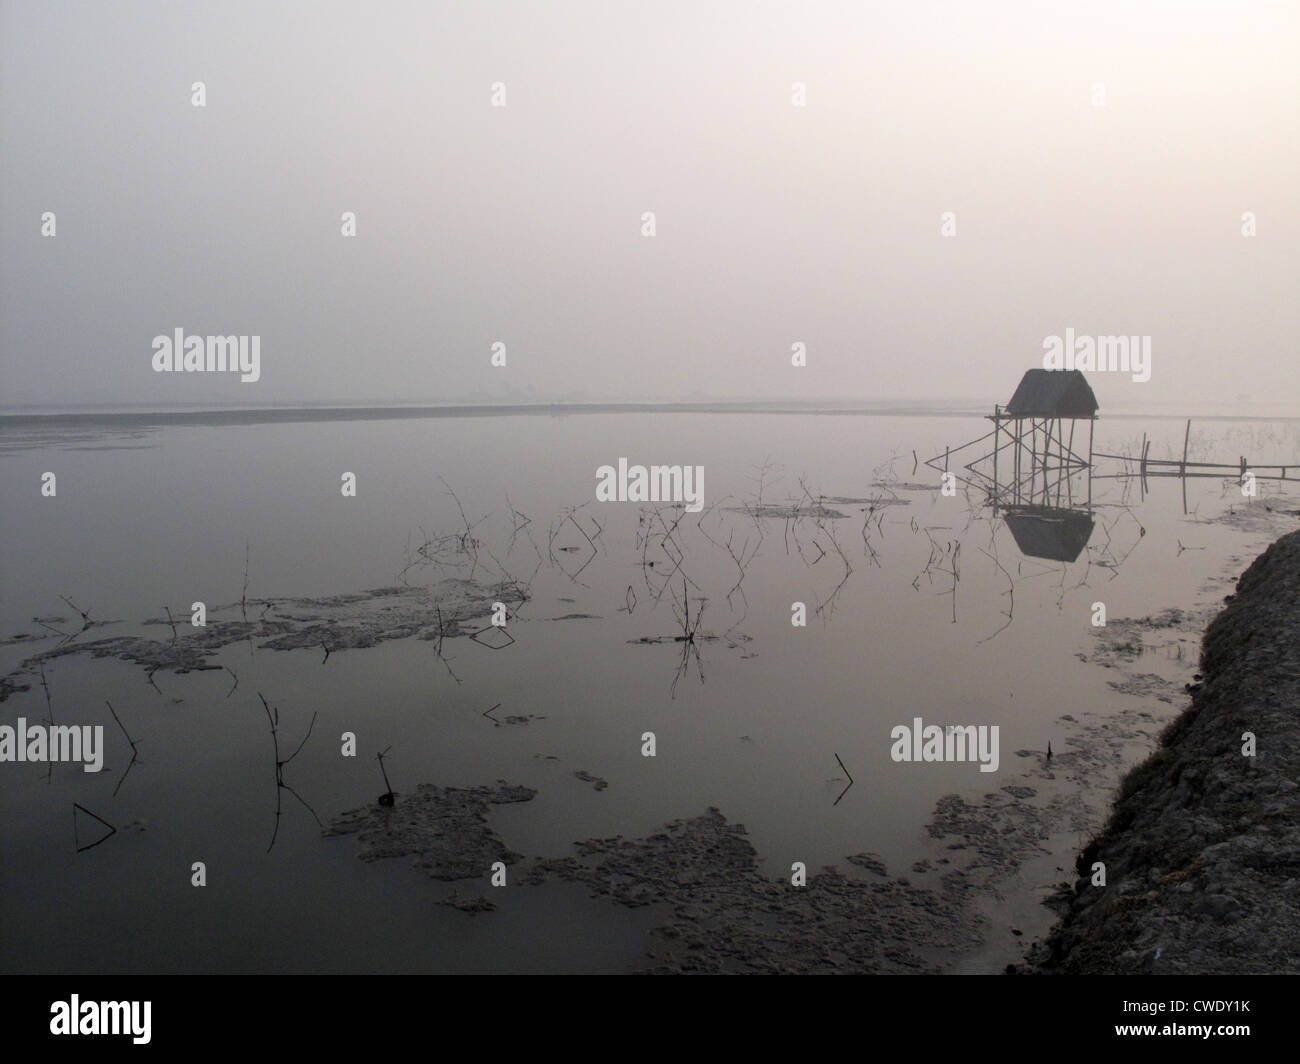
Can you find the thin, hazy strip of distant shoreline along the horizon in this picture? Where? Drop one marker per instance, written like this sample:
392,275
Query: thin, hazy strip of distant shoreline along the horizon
274,416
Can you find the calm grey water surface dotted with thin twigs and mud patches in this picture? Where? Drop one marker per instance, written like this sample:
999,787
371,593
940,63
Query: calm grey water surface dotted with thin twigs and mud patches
755,717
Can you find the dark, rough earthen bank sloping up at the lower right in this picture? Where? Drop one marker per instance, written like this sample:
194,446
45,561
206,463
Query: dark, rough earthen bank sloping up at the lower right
1202,854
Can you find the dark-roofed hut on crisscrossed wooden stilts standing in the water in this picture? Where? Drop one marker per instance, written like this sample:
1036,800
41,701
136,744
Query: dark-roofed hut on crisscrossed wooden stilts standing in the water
1033,456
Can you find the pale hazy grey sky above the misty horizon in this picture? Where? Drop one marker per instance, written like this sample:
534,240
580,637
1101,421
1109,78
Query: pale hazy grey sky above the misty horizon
522,224
